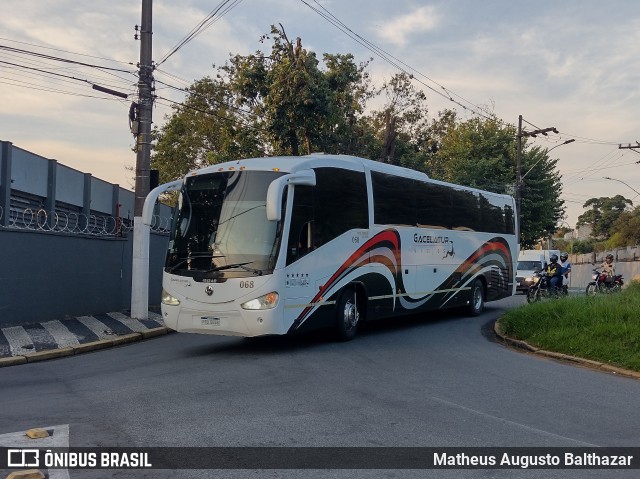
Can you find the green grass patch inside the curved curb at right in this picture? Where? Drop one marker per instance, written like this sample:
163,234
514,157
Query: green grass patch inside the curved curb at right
604,328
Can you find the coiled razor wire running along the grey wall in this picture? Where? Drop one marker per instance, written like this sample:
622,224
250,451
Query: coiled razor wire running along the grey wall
38,219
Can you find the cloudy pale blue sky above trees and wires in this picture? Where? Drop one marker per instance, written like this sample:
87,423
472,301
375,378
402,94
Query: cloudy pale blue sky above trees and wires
572,65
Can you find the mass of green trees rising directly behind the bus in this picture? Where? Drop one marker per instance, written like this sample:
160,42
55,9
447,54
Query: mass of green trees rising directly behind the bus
288,103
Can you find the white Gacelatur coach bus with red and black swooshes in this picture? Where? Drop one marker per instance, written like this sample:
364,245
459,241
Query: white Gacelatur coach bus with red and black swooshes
281,245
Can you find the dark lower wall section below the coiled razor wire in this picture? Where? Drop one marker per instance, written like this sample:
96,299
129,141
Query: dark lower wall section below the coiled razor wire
47,276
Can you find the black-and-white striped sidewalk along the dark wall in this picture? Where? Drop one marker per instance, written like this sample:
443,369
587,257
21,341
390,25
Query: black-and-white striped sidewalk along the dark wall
66,337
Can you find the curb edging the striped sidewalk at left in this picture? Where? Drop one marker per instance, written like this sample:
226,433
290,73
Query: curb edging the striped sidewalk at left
84,348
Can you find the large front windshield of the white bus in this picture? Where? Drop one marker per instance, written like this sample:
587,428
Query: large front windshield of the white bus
221,227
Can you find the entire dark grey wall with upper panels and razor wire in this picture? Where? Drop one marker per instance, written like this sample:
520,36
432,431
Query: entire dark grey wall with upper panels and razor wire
65,241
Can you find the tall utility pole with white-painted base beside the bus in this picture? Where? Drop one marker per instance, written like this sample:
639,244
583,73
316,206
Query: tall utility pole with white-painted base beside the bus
140,266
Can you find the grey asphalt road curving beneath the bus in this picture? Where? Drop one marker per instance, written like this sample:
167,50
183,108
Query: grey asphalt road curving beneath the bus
441,381
